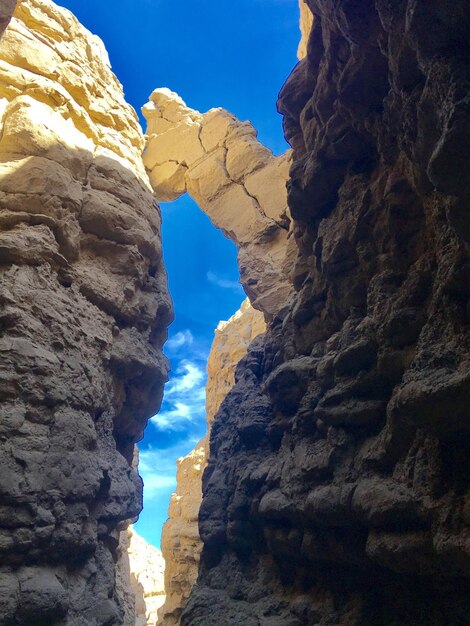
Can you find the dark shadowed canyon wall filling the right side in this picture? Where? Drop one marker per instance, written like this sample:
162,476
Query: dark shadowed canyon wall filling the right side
337,489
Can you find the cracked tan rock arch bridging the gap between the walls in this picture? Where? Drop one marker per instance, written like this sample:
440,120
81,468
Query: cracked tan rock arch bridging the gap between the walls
234,179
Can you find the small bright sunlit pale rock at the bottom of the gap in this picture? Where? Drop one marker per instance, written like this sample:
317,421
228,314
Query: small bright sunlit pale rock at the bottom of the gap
144,566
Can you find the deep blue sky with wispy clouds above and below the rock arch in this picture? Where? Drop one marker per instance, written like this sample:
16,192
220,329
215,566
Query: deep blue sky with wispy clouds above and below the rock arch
213,53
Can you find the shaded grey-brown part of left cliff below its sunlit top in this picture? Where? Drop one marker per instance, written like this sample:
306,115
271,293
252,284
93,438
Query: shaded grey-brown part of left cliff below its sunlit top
84,313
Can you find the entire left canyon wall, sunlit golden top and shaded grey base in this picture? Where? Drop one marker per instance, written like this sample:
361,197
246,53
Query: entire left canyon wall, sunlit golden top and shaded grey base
83,312
